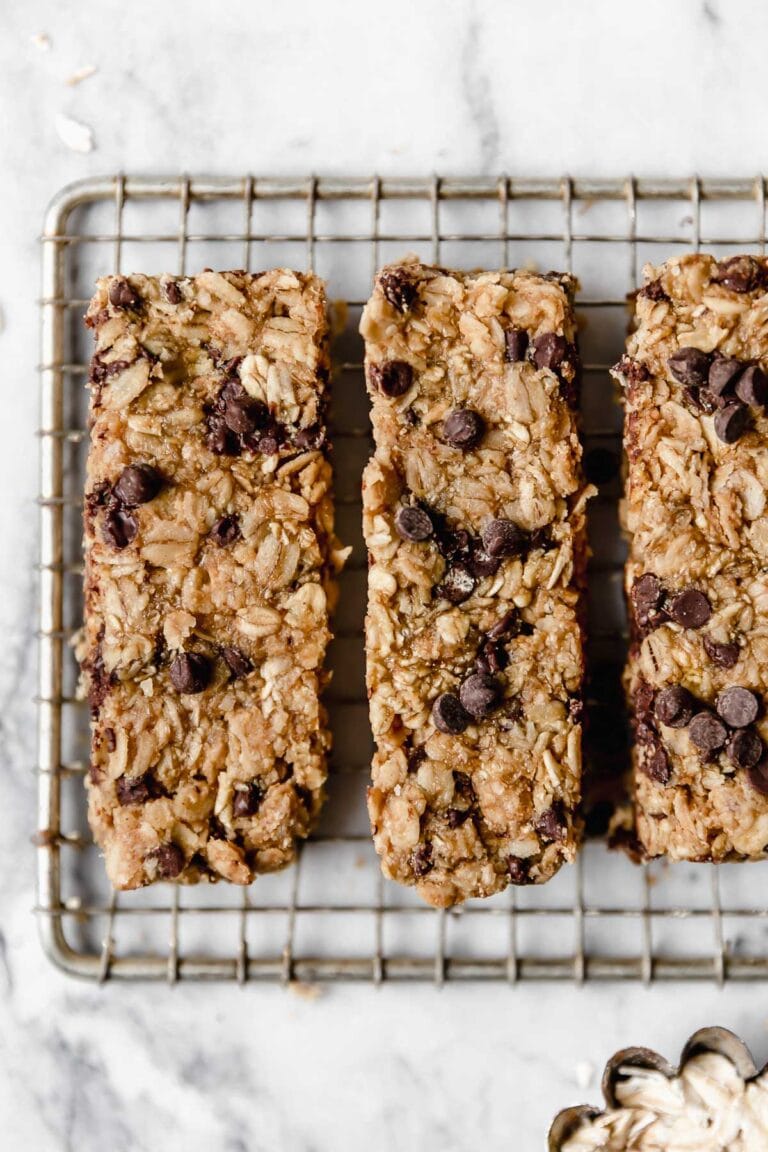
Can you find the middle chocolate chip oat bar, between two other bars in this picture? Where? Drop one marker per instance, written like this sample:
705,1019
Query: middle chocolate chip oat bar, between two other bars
474,518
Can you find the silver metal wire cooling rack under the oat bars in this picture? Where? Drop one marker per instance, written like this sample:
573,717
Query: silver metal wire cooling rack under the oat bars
332,916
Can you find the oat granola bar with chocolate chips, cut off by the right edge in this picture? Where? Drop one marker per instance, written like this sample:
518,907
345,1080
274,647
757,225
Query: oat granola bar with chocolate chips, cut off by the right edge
697,577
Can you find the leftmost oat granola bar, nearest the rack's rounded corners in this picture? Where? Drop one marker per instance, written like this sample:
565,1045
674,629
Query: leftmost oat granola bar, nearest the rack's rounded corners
210,559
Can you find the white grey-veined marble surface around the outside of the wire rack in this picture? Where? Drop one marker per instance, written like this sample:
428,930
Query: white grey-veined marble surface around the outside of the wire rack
598,88
